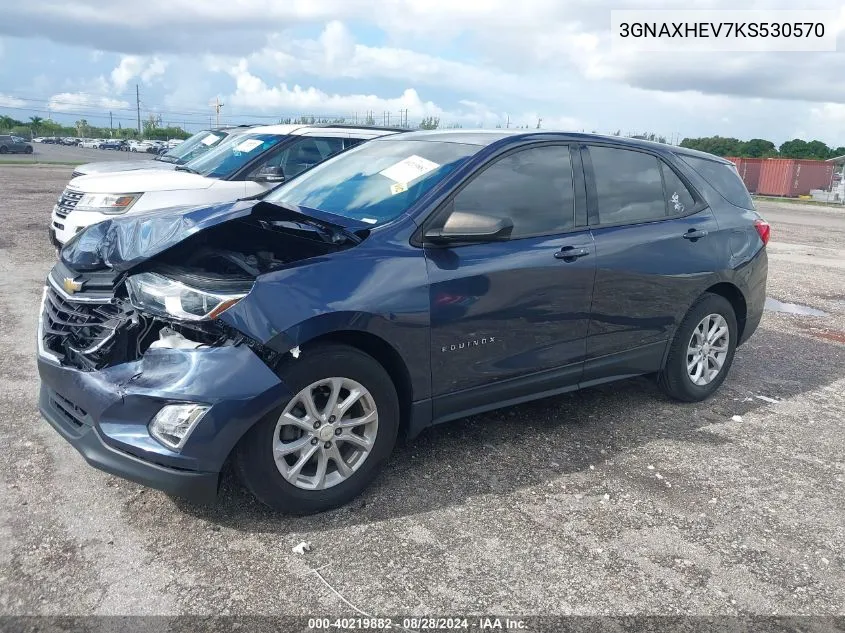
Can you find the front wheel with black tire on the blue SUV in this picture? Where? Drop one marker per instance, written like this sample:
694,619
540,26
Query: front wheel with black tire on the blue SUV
324,446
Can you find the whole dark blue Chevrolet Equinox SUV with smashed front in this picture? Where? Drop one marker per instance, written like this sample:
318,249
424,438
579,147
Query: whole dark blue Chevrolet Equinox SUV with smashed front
413,280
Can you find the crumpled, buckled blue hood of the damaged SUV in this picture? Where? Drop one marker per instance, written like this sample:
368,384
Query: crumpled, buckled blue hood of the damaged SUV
125,241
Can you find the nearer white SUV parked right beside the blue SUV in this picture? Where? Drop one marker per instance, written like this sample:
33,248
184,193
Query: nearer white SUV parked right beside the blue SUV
246,165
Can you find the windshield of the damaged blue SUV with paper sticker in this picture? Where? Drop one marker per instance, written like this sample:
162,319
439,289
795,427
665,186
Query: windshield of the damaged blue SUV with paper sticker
376,181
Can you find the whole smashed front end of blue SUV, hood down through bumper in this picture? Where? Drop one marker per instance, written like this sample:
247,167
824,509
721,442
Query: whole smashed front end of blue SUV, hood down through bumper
139,372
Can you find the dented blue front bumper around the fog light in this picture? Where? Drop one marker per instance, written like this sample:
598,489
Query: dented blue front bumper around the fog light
104,414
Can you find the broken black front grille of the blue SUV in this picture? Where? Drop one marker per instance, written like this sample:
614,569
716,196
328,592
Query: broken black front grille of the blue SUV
78,327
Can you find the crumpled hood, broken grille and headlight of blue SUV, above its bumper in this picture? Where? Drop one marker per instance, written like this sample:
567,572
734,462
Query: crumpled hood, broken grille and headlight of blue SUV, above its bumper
122,288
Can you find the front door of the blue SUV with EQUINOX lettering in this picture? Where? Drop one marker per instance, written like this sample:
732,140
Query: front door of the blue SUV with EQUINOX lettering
504,311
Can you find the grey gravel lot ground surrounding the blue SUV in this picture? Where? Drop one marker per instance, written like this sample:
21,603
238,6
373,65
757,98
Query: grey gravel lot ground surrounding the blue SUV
613,500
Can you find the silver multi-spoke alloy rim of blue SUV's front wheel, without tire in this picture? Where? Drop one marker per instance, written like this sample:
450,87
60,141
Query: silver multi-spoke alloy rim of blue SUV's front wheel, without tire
325,433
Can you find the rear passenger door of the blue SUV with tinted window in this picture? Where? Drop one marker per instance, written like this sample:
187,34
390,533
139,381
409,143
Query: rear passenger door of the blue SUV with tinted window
653,235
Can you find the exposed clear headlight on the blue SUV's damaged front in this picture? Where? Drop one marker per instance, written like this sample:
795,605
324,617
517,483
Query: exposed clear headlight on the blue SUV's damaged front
165,297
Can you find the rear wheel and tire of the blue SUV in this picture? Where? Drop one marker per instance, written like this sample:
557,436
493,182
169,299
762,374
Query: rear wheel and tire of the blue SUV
702,351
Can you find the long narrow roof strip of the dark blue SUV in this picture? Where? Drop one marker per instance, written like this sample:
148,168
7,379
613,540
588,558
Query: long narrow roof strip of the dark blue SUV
484,137
